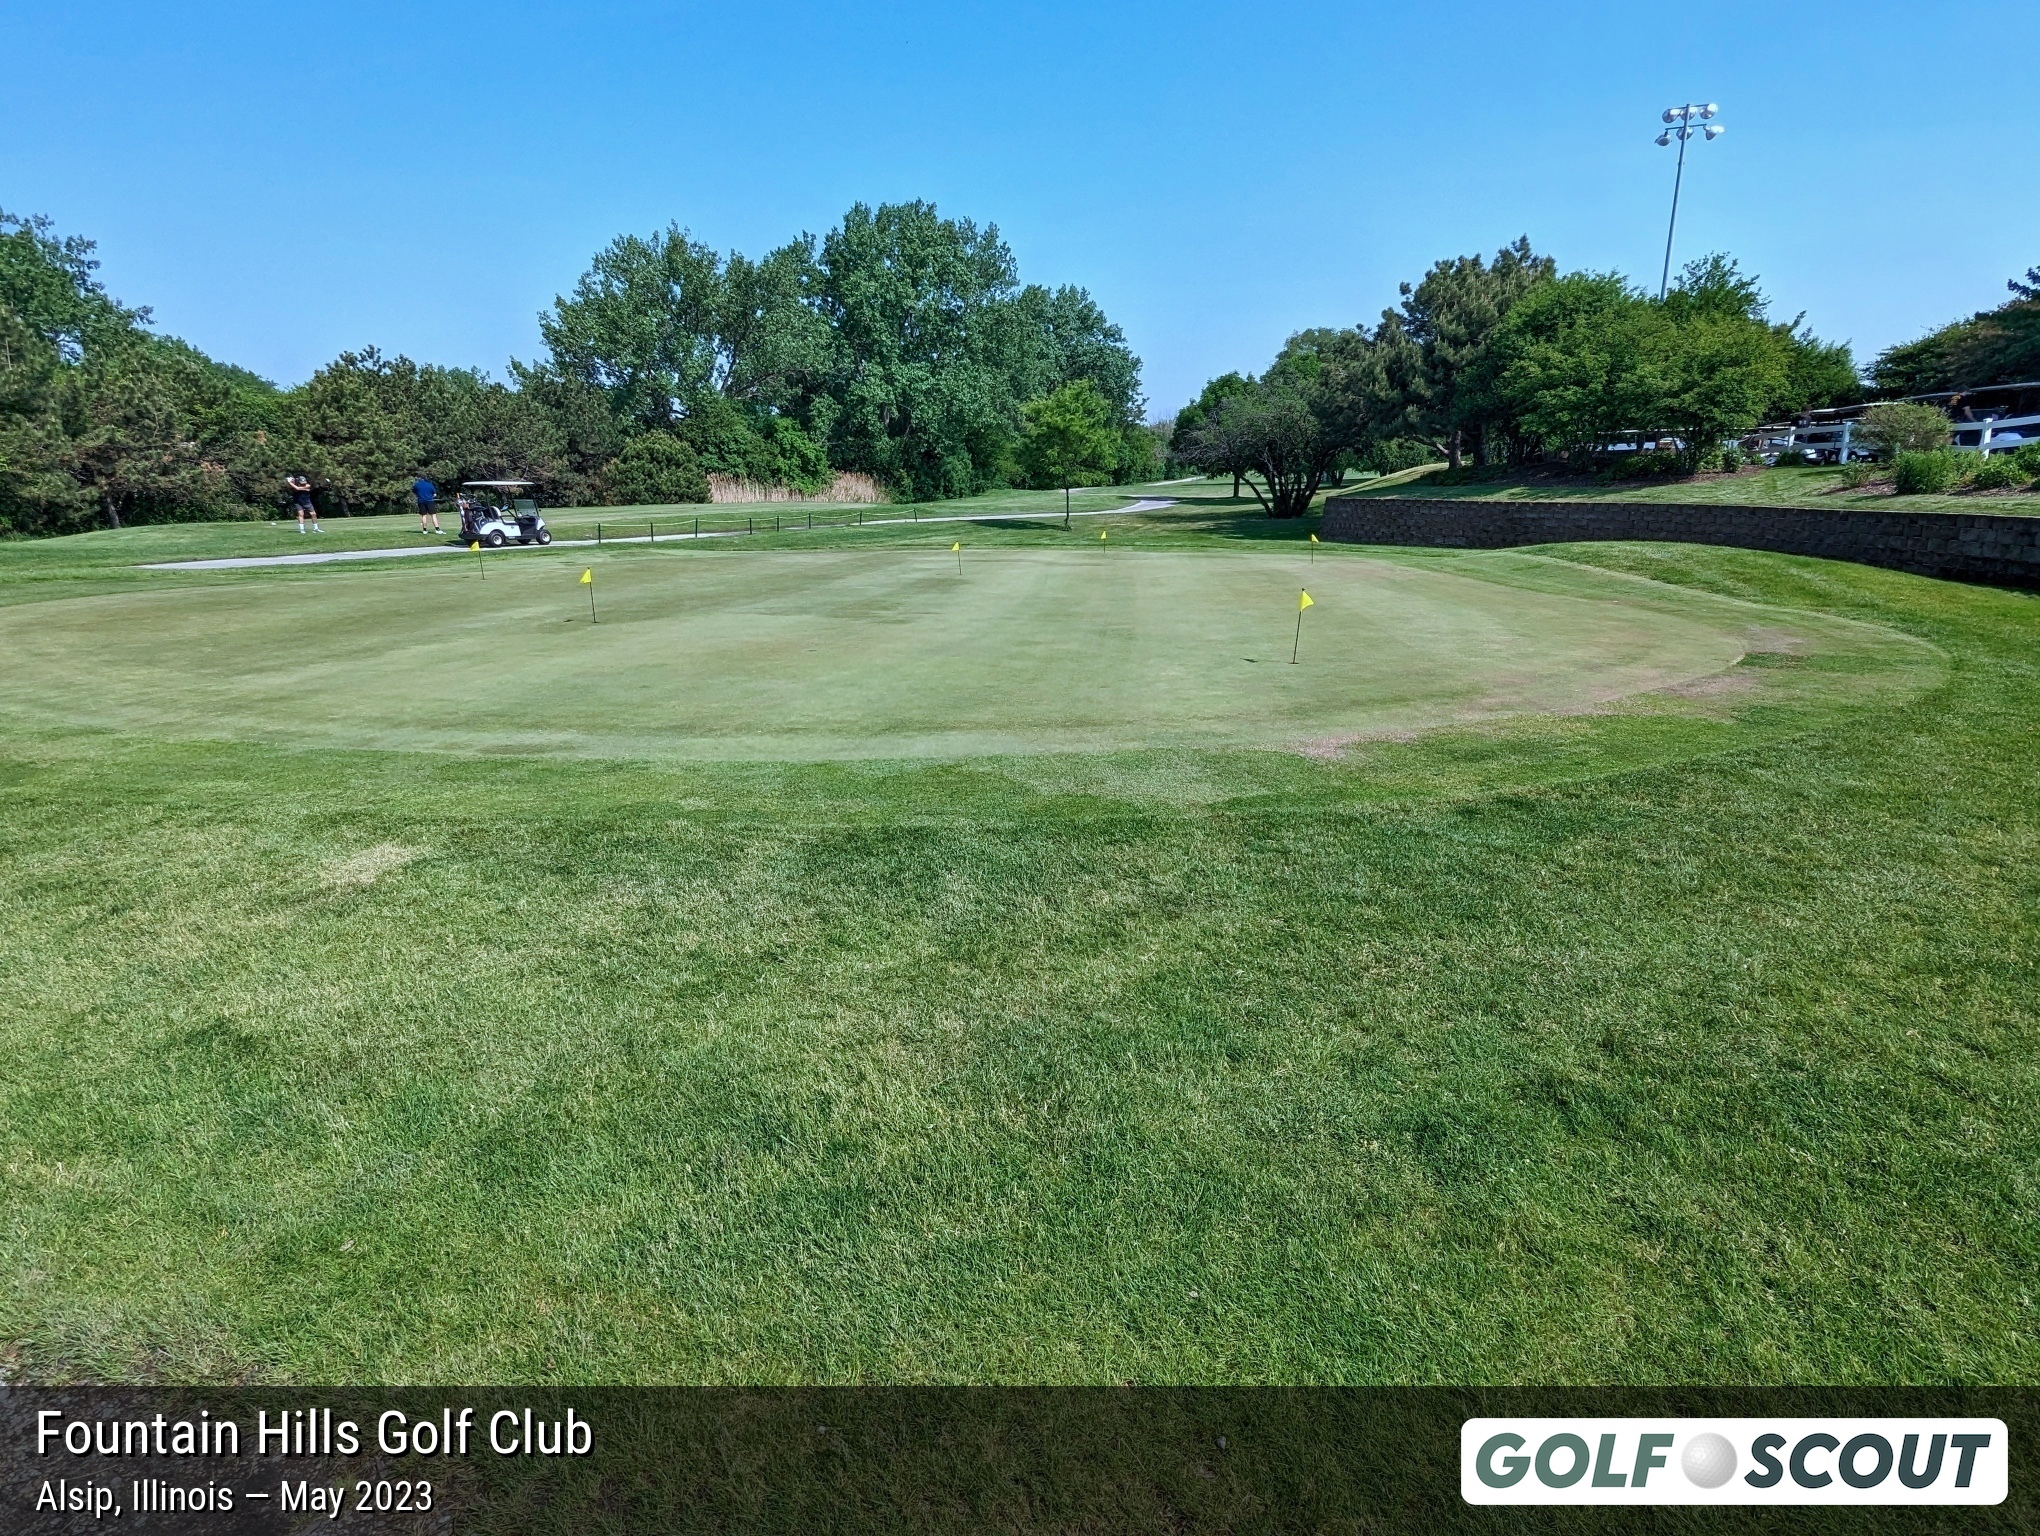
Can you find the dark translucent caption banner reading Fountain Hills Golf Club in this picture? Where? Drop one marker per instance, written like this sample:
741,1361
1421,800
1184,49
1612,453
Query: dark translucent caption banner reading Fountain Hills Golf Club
484,1462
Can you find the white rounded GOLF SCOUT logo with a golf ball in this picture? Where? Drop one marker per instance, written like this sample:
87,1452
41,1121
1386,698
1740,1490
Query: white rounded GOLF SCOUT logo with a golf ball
1733,1462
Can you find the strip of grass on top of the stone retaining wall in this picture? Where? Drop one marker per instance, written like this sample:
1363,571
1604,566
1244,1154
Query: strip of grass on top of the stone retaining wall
1753,489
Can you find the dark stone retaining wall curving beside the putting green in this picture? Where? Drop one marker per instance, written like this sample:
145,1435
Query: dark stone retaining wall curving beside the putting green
1959,546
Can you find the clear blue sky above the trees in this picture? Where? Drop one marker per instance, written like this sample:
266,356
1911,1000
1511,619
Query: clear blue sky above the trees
280,183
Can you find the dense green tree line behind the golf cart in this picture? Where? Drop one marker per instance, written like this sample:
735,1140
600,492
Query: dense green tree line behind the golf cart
901,346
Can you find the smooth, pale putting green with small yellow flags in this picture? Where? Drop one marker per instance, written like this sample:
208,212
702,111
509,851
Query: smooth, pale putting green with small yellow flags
874,654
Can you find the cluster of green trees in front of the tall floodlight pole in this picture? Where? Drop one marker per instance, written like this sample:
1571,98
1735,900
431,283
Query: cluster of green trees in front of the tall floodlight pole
1509,362
